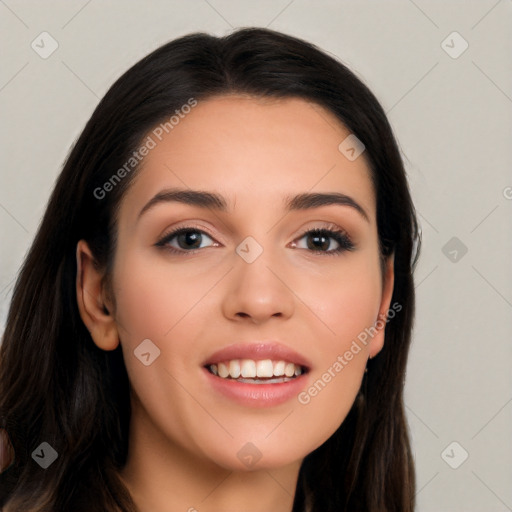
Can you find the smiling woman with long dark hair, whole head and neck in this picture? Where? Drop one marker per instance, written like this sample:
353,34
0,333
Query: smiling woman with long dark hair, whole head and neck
216,311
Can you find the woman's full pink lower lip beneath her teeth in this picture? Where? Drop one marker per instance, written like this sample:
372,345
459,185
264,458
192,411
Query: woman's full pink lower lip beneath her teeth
257,395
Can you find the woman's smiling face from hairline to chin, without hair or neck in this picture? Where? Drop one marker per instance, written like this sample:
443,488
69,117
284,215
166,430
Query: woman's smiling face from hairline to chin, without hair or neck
247,285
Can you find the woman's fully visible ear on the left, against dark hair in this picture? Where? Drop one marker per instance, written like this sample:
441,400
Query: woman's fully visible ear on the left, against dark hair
92,303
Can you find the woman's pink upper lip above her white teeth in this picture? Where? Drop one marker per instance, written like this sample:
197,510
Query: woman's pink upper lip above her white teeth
258,351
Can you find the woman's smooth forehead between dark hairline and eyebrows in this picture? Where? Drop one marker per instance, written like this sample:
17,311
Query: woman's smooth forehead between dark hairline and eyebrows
253,151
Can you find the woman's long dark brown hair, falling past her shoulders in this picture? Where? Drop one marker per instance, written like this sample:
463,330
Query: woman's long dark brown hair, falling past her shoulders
57,387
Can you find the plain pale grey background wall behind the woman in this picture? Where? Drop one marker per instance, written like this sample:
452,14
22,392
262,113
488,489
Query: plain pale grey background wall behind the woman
453,119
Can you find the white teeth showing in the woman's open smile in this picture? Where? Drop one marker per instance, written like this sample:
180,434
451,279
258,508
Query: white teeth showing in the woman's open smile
246,369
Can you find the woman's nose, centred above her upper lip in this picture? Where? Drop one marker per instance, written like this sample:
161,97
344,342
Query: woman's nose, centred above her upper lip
258,291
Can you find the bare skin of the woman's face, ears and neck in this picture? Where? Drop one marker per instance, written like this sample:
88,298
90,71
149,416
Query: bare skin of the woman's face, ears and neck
184,437
